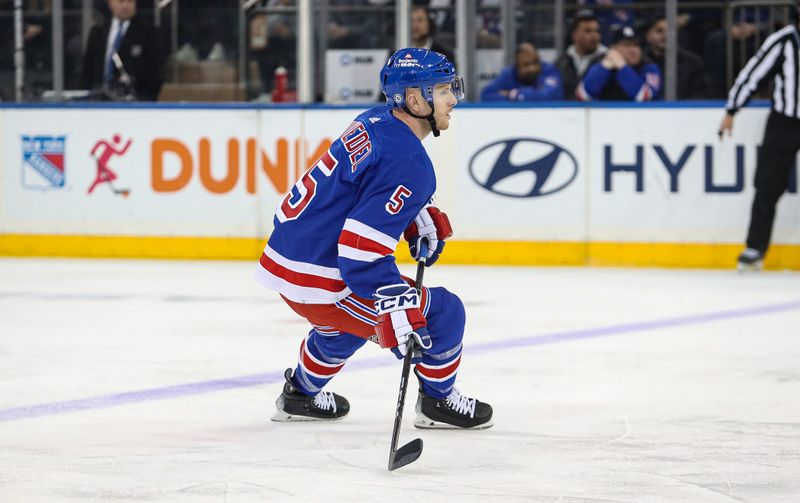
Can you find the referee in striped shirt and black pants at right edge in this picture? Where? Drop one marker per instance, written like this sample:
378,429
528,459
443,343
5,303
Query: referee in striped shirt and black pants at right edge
778,58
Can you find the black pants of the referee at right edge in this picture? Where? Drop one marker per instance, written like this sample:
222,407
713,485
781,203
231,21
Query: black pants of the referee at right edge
775,162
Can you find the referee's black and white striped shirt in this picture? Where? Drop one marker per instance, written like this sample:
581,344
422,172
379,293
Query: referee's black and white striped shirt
777,56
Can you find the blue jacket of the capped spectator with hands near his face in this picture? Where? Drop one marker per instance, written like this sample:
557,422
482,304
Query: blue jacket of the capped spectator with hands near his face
640,83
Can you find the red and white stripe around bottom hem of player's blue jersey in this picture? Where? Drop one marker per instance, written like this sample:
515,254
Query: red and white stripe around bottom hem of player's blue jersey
300,281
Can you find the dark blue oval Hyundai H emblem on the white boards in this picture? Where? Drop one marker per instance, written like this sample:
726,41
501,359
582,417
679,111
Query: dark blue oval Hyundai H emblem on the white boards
523,167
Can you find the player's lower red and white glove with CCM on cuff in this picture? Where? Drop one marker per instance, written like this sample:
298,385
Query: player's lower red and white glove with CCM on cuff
400,319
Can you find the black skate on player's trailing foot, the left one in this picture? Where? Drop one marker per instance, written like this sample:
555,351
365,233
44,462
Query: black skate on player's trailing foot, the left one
292,405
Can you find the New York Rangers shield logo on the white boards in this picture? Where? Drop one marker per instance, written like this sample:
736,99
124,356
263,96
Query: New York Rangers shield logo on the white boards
43,162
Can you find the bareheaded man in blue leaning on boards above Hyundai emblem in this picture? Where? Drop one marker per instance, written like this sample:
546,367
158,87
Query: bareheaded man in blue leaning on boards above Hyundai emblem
529,79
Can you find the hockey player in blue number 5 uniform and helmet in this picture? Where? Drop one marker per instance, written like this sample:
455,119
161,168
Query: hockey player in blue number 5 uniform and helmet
330,255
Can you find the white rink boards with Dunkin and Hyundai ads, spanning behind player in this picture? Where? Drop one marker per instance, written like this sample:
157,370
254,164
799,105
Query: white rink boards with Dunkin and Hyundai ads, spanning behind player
570,175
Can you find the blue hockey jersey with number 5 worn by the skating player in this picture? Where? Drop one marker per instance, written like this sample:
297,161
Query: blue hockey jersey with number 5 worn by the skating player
336,230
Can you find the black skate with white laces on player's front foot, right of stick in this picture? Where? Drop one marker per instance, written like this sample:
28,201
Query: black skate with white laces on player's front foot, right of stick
453,411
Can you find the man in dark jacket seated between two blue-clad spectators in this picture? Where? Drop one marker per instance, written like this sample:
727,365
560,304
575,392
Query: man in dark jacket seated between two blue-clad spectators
585,48
